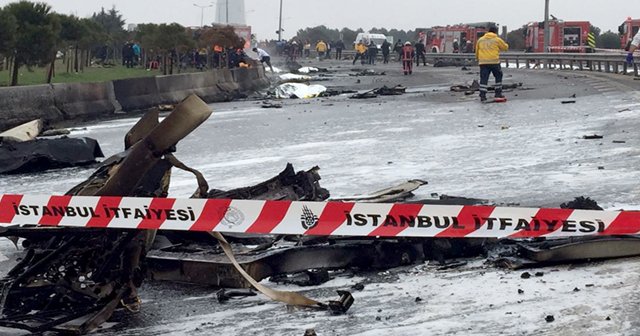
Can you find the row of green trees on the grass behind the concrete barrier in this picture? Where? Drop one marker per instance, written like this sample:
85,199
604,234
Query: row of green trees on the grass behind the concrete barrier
32,35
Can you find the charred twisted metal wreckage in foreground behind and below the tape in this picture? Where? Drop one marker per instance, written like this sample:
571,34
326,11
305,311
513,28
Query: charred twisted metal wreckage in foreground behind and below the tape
72,280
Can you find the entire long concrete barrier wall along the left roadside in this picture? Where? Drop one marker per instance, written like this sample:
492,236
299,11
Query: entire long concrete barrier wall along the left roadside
86,101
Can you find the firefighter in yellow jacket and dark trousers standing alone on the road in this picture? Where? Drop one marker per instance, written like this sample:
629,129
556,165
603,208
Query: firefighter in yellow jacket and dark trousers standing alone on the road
488,50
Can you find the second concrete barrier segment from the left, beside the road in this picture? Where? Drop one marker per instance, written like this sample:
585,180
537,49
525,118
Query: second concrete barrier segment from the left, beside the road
84,101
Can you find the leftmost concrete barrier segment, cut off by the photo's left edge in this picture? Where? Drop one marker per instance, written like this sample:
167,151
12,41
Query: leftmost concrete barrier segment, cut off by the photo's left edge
25,103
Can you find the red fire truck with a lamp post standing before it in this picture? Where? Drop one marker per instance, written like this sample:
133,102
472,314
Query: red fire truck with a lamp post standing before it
565,36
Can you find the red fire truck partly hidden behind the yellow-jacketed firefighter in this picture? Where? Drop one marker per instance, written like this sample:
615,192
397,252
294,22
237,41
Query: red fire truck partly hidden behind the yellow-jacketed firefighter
442,39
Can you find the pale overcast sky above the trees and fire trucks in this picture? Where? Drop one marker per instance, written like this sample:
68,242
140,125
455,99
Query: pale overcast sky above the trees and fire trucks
262,15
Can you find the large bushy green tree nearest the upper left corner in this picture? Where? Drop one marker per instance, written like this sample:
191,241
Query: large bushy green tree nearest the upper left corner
36,35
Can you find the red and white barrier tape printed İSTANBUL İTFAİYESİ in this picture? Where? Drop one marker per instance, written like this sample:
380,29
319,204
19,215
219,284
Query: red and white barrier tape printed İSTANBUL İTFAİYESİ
312,218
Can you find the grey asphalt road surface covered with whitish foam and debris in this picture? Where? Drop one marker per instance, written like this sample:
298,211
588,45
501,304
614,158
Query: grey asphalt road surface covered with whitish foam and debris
529,151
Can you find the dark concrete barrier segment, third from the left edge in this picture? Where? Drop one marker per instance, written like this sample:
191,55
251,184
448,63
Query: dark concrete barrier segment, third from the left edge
137,94
